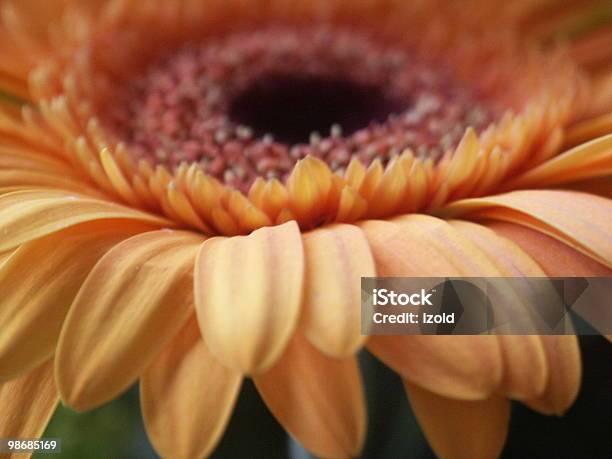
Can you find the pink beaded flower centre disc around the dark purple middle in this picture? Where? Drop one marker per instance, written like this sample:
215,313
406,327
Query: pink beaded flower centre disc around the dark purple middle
253,103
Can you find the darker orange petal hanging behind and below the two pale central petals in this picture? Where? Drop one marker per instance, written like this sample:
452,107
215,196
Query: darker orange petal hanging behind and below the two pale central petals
318,399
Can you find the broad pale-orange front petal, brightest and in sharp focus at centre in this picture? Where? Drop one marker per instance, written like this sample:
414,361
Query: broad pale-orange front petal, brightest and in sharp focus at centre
248,293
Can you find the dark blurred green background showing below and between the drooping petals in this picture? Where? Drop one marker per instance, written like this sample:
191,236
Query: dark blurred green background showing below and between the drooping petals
116,430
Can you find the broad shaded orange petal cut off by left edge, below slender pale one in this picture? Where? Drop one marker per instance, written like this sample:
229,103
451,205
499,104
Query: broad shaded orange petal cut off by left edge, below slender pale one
39,283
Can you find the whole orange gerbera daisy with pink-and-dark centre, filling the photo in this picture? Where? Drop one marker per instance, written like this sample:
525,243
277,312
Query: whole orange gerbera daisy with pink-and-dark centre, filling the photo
191,190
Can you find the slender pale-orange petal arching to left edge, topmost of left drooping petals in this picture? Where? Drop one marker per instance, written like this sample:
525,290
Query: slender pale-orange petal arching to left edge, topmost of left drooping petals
28,215
